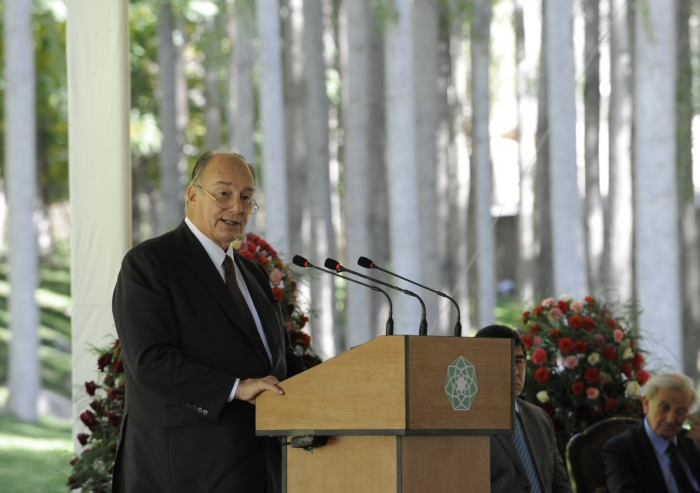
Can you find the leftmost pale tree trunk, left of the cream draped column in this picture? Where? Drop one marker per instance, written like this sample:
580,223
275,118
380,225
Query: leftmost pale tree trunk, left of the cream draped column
20,162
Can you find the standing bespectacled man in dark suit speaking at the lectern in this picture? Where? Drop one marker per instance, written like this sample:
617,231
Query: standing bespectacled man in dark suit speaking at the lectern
202,337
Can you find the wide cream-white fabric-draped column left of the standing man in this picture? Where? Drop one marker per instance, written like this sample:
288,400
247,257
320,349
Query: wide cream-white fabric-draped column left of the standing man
100,172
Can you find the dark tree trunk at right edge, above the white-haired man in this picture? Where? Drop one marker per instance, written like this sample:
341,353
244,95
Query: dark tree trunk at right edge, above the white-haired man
690,257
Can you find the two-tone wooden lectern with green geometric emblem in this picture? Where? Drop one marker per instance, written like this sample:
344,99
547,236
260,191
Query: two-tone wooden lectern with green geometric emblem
391,425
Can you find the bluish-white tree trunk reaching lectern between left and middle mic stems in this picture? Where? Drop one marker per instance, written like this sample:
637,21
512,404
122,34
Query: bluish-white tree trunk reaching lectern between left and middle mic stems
405,228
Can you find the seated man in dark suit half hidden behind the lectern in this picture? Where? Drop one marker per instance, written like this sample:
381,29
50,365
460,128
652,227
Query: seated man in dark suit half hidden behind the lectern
529,460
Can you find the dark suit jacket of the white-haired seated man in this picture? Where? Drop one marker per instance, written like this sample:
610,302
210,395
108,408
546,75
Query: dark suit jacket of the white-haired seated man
631,465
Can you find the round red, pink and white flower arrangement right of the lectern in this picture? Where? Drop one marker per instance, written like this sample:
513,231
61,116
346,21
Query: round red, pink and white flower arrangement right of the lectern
585,363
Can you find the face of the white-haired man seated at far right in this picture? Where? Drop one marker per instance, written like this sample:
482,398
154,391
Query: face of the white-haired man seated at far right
667,411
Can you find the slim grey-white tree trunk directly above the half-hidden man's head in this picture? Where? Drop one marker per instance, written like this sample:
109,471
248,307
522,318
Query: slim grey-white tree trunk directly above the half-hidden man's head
481,160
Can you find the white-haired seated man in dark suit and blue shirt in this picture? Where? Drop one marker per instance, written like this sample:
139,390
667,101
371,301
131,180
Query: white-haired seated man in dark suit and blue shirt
658,455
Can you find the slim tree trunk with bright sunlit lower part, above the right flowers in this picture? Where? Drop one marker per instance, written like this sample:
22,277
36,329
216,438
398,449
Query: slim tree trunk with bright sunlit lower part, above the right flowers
591,102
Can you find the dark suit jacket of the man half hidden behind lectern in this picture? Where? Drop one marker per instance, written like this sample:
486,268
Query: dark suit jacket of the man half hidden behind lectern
507,471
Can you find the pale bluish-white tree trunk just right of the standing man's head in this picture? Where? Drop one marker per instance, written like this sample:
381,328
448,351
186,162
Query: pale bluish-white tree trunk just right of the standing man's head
274,165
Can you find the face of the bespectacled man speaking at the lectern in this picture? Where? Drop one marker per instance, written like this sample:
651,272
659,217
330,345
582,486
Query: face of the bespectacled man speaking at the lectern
224,177
